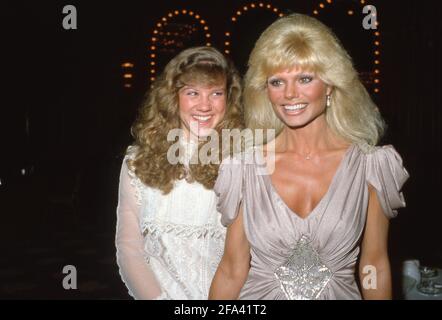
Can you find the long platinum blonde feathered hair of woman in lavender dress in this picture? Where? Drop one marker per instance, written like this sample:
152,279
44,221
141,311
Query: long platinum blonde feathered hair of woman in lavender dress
302,41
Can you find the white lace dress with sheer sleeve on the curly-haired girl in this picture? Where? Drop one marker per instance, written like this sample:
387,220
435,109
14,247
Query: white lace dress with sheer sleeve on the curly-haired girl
168,246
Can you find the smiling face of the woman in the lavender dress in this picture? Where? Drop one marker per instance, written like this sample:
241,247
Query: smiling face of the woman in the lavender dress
298,97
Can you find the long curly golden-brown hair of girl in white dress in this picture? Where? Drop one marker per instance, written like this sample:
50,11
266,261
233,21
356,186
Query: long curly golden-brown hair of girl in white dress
160,113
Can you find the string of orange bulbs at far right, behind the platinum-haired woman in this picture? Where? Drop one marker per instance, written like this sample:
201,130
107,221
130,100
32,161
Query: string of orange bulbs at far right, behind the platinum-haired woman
376,49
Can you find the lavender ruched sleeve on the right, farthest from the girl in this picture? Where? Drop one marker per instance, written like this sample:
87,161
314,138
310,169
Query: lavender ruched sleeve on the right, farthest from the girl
387,175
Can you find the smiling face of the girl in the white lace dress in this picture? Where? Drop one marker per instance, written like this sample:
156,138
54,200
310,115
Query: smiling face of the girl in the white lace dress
201,107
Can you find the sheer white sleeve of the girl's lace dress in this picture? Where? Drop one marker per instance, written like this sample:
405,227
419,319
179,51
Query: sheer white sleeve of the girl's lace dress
131,258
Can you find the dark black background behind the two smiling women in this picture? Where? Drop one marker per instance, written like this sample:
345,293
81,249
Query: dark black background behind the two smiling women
65,118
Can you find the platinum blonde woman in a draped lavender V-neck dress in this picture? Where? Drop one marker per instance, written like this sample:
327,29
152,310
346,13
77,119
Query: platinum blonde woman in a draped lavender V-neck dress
298,232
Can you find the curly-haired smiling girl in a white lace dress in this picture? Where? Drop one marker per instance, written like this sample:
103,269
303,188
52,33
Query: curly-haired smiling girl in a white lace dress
169,238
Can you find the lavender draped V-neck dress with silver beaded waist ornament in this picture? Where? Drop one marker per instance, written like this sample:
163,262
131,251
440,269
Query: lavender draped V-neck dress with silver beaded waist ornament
312,257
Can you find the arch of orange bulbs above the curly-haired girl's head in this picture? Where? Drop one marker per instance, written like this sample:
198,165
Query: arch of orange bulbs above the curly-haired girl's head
159,26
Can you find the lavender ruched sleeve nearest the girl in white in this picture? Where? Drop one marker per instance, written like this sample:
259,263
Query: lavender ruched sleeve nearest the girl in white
228,188
